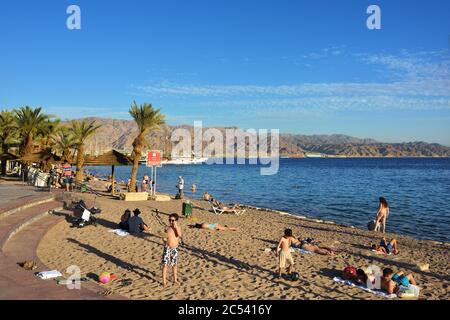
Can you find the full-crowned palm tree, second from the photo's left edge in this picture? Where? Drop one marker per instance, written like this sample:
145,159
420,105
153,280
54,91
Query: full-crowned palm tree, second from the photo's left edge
29,121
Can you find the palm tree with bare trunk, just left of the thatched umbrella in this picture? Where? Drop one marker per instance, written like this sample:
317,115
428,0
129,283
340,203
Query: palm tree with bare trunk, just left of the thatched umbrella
81,130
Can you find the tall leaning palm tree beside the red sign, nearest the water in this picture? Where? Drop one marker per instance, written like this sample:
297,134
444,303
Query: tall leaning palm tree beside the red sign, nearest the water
146,119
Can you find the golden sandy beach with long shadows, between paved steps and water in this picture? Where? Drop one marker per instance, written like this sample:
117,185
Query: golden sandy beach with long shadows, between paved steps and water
233,265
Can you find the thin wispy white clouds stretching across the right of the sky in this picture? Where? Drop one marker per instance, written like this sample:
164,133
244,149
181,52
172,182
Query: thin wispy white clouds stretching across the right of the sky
423,84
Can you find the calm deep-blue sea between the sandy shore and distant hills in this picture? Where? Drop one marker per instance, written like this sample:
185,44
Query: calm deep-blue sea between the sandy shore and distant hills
342,190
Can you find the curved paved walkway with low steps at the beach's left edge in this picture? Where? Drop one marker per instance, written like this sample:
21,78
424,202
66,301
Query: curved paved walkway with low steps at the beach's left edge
22,226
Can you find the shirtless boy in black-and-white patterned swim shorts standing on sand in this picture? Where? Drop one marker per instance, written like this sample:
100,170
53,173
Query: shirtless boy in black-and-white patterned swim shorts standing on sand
170,254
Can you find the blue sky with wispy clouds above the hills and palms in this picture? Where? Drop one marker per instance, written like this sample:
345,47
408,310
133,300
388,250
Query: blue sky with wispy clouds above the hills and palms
307,67
